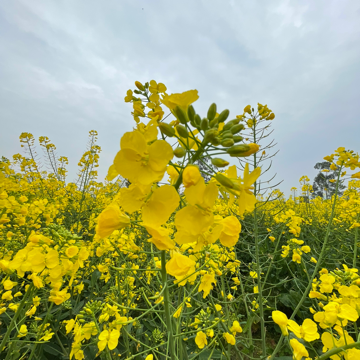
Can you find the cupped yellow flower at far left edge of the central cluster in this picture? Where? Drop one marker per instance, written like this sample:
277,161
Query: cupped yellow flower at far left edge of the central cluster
110,219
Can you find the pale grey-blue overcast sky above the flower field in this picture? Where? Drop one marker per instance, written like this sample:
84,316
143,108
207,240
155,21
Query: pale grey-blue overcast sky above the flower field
65,67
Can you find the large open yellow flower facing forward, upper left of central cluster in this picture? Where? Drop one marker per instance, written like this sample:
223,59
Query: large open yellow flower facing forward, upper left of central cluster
142,163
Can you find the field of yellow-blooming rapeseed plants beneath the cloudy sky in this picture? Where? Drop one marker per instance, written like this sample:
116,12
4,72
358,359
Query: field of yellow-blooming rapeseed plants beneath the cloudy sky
178,254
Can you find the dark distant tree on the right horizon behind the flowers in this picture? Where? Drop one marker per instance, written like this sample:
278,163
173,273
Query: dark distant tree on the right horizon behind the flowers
322,185
